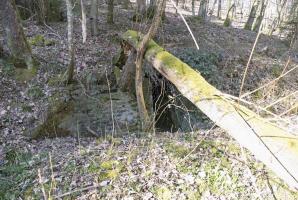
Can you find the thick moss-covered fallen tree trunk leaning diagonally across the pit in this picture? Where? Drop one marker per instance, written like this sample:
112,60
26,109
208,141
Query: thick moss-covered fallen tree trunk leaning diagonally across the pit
270,144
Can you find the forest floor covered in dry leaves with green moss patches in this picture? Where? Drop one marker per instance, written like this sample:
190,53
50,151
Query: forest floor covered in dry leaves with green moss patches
202,164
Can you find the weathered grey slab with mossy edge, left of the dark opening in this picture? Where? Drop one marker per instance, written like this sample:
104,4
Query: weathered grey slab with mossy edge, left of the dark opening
93,112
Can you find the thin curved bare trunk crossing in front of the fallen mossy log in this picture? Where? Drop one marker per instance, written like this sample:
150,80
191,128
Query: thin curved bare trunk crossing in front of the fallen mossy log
139,62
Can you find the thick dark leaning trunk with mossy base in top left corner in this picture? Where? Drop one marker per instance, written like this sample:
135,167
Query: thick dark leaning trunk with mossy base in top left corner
19,49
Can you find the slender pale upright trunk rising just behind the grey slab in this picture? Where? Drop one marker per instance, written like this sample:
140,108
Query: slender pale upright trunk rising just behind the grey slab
71,52
